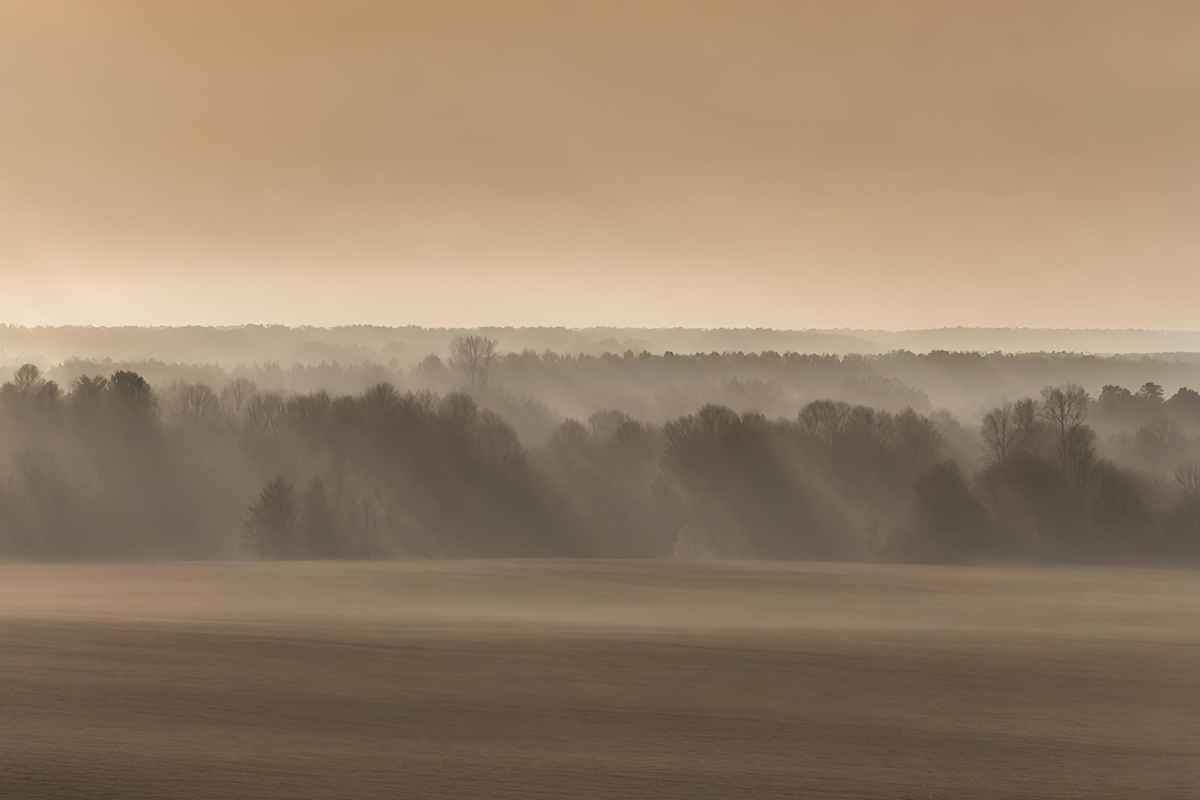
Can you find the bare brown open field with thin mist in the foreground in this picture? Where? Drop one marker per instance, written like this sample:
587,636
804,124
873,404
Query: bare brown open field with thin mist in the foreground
597,679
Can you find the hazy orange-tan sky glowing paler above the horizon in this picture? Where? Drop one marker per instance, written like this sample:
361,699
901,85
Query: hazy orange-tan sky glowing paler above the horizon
886,165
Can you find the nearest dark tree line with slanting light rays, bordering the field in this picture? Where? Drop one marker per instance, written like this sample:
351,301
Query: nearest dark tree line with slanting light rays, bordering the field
113,467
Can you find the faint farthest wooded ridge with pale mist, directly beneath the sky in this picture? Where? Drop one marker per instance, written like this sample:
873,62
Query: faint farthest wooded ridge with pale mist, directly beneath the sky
248,344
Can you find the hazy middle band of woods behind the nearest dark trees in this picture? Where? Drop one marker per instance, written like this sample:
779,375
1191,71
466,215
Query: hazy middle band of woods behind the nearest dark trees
658,388
